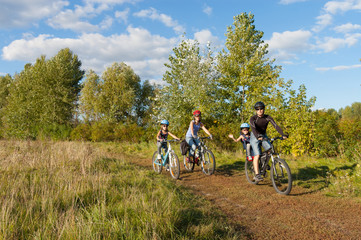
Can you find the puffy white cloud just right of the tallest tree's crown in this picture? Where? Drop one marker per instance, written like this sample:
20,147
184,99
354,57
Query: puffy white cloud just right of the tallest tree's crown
284,46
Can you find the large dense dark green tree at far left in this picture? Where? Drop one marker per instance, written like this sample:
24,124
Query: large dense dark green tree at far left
43,95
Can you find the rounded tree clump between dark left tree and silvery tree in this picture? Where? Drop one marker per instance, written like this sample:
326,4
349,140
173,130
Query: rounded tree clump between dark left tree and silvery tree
118,96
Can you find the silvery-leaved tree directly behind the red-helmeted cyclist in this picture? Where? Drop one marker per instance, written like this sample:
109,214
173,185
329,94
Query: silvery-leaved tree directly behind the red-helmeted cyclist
189,85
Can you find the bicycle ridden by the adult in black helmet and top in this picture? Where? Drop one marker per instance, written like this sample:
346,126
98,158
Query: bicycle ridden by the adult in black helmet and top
280,171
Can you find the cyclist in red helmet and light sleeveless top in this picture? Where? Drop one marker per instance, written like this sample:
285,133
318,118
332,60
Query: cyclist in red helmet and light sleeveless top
192,134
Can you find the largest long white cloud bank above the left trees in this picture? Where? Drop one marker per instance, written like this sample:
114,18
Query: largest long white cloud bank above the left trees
144,52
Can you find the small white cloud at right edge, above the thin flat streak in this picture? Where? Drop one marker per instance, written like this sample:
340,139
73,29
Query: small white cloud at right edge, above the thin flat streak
329,44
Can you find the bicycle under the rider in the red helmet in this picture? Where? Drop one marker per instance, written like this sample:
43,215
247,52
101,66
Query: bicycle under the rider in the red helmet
205,158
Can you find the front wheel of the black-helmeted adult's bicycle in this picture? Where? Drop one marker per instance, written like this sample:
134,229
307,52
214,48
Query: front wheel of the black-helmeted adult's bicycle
281,176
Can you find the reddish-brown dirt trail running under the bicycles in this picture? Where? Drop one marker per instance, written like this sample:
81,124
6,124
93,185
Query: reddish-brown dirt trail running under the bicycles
264,214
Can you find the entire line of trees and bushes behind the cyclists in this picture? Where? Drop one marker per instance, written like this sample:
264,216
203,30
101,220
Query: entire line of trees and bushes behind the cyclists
54,98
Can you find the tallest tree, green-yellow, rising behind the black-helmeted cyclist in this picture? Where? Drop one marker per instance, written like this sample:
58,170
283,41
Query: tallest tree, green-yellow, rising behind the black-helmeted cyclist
247,75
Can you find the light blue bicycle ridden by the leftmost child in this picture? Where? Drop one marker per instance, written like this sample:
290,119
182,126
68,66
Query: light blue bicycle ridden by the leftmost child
168,159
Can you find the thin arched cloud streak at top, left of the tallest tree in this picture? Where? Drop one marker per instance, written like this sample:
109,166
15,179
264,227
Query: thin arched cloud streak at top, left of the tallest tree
165,19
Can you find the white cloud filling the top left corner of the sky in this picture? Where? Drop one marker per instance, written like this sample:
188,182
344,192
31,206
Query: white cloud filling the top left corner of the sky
20,13
